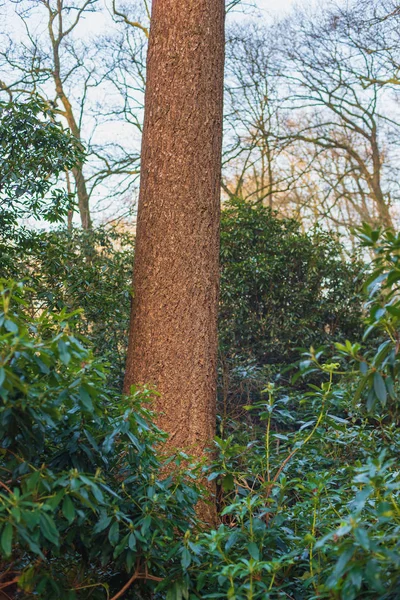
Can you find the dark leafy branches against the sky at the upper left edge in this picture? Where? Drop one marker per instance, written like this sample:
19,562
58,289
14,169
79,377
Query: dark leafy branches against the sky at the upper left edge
34,151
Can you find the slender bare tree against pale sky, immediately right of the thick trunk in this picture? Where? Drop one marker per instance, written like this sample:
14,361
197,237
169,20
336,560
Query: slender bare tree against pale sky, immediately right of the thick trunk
251,118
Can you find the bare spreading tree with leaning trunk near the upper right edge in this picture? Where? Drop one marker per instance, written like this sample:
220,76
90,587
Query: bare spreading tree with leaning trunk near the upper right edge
326,82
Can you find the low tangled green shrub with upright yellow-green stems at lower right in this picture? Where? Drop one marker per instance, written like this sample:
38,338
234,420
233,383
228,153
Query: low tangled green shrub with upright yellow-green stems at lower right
310,513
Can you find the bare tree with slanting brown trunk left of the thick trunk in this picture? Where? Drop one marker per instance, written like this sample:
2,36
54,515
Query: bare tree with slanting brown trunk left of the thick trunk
65,68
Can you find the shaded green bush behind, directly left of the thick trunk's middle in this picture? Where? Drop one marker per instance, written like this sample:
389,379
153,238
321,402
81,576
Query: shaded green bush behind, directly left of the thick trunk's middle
86,270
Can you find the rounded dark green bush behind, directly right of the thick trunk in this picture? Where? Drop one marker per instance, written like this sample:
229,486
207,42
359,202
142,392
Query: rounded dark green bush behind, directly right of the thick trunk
281,290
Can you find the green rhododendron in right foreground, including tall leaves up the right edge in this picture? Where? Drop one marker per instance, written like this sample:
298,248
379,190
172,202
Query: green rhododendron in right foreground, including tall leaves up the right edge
310,500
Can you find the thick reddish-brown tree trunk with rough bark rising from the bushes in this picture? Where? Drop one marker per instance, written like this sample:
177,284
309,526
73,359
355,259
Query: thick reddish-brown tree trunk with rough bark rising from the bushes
173,331
